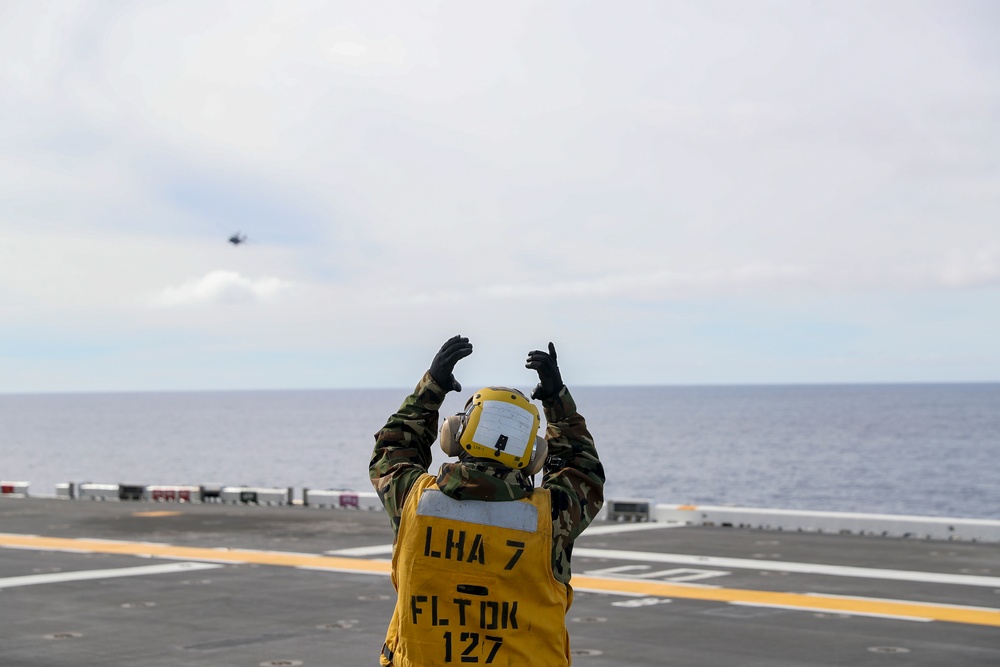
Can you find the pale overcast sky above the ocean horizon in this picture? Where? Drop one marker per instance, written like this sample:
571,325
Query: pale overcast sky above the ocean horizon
672,192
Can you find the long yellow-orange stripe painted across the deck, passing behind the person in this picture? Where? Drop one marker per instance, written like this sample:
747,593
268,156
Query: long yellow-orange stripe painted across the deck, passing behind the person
844,605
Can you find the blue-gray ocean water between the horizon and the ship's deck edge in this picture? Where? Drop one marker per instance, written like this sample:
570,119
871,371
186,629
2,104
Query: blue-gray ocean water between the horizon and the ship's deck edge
900,449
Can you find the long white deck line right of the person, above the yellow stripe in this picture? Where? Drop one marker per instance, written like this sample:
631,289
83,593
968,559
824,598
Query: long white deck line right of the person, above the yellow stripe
788,566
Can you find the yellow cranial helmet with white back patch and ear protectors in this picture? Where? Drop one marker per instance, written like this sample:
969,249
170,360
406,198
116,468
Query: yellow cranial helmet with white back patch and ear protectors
499,424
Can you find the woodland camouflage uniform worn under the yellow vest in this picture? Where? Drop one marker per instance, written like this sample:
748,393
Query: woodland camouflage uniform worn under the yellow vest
573,473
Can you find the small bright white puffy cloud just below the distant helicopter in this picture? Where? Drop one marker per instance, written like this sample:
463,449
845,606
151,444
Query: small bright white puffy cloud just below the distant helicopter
222,287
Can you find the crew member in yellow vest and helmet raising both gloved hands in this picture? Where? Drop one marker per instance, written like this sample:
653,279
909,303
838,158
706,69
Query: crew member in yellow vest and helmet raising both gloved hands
481,561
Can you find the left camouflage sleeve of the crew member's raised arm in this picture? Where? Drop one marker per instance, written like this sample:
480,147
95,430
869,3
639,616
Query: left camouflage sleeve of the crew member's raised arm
403,447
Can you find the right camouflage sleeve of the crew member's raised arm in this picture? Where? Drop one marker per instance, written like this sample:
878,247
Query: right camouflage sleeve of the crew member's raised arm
574,476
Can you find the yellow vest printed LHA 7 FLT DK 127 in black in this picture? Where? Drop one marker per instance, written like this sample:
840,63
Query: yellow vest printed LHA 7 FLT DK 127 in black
474,583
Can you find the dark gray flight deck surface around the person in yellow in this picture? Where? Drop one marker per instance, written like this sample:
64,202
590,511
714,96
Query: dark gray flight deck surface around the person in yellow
257,614
